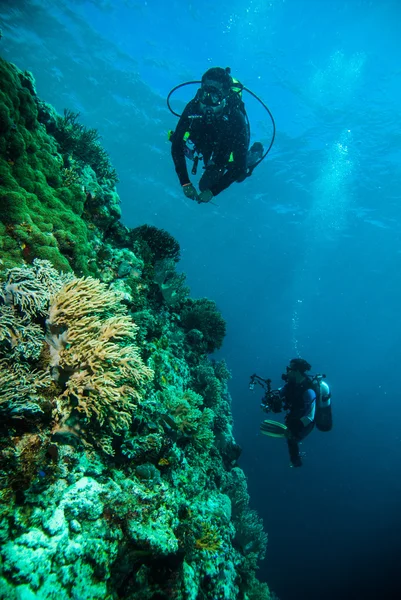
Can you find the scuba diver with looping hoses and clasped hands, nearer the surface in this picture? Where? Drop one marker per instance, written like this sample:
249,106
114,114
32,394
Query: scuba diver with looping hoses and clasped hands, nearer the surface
214,127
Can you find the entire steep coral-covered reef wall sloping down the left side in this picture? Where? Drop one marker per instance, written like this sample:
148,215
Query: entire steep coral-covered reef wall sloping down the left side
118,467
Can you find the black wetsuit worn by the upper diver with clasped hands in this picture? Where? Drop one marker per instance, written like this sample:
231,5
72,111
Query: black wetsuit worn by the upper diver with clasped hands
226,134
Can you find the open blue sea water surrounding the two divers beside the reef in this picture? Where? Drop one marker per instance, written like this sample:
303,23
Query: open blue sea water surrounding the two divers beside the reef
303,259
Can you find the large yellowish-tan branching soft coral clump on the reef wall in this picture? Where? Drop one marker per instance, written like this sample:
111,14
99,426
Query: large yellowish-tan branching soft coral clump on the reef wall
94,353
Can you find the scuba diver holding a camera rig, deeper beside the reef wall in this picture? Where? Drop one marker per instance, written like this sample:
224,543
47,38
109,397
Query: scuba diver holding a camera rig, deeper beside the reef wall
307,400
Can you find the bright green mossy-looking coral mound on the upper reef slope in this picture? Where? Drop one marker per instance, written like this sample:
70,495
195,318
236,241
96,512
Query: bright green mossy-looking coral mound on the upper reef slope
40,216
